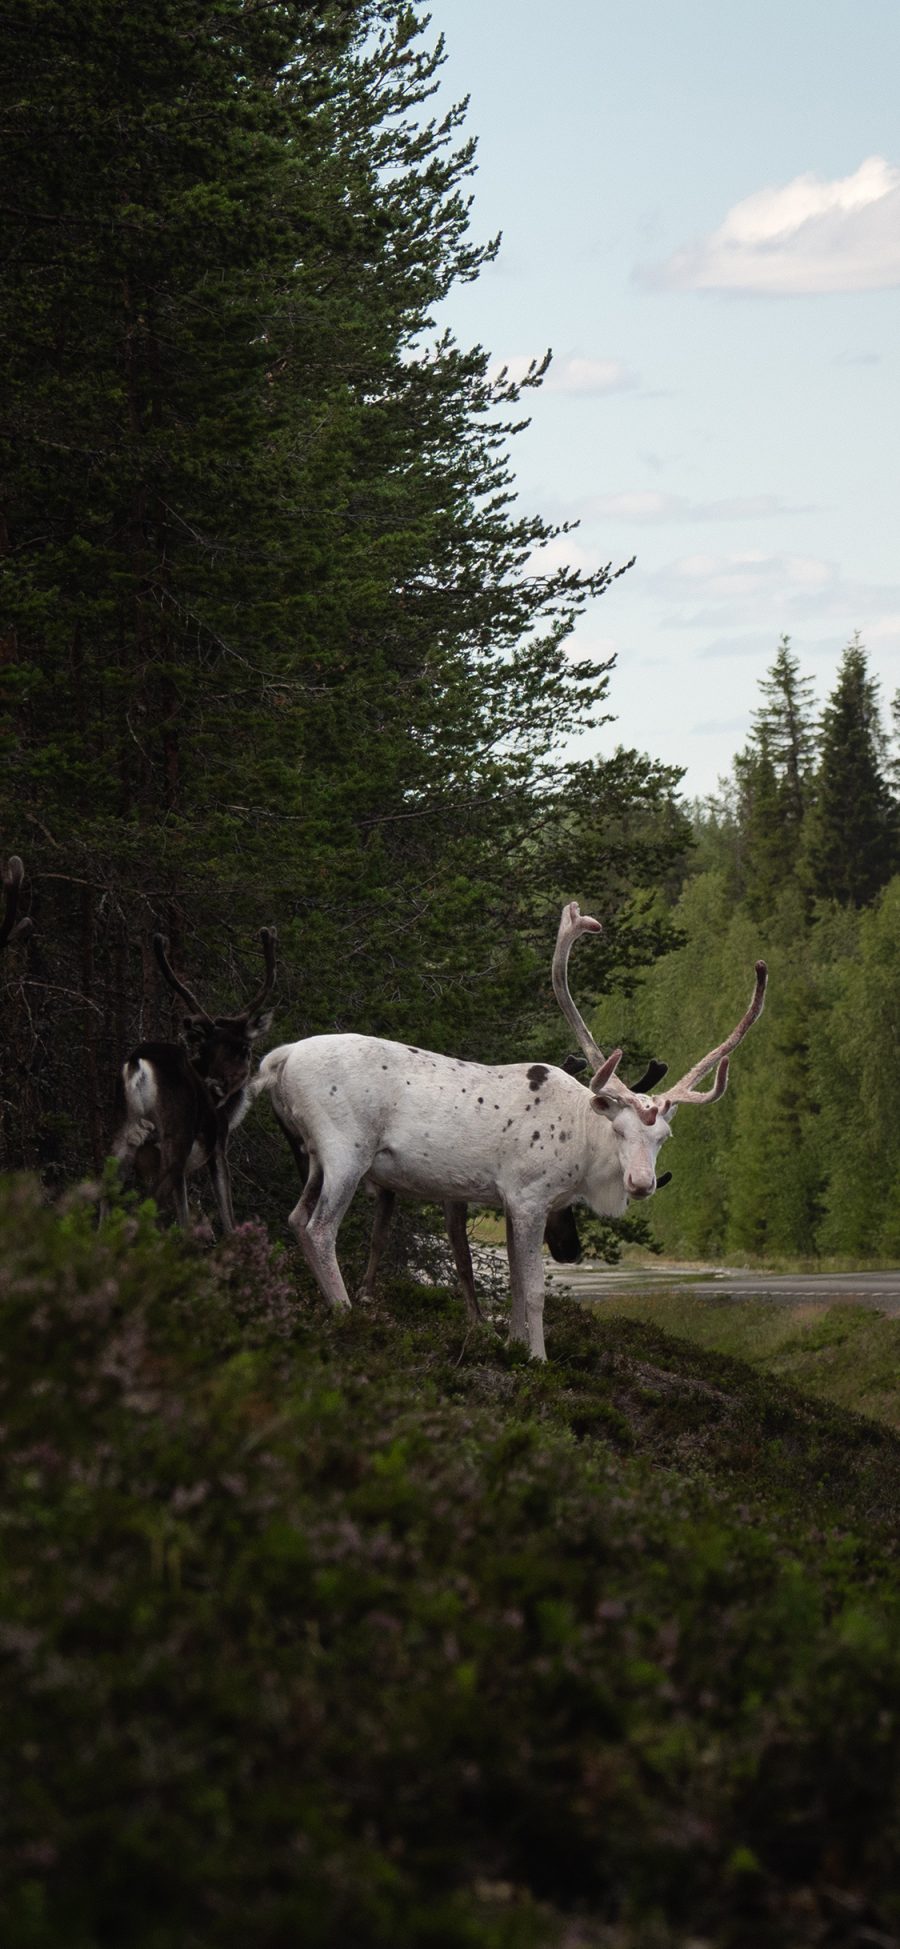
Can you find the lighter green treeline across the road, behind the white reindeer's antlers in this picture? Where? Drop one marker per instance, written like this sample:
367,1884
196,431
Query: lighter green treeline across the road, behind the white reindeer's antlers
798,860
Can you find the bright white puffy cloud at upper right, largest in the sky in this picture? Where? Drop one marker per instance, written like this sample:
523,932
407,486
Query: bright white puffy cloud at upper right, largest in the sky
800,239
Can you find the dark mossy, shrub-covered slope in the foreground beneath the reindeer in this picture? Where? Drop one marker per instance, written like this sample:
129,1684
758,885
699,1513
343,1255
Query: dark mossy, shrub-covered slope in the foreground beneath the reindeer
373,1634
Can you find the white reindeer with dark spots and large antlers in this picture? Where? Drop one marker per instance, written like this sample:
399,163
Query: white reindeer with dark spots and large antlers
519,1137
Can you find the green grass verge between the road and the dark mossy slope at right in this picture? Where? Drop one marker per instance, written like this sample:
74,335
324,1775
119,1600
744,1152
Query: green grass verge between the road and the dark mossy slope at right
841,1354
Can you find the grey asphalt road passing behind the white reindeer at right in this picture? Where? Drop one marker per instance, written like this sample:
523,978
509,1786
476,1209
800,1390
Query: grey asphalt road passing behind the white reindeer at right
591,1281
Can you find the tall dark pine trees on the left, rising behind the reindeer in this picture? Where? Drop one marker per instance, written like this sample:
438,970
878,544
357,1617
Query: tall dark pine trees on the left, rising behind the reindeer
278,646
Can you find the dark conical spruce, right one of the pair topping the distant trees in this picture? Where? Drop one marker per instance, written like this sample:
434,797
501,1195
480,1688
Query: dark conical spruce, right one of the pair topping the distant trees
852,833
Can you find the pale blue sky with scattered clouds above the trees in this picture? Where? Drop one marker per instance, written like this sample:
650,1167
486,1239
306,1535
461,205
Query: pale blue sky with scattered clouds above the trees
700,210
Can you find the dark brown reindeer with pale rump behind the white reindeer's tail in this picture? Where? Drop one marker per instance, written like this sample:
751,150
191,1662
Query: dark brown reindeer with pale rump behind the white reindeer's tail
176,1108
